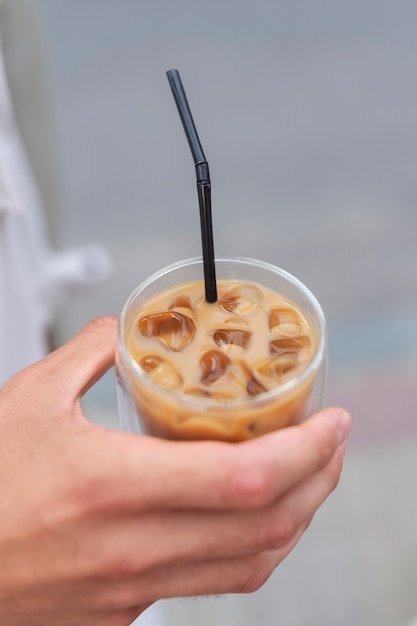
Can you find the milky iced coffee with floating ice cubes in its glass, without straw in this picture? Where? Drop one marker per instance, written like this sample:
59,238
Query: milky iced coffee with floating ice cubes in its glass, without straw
250,363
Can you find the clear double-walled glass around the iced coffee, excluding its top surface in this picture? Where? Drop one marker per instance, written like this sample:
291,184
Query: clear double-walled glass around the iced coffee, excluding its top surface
149,408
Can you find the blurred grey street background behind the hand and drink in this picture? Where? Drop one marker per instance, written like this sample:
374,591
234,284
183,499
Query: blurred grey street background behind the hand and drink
307,115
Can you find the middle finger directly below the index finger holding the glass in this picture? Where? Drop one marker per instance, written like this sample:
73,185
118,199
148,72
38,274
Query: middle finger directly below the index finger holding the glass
147,539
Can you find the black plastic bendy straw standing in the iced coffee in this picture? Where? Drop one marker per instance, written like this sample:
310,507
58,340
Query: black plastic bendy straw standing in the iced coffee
203,183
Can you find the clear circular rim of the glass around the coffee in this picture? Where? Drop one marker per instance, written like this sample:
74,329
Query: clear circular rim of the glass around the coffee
304,375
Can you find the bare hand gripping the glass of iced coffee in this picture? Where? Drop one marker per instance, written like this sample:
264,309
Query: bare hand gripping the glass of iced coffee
97,524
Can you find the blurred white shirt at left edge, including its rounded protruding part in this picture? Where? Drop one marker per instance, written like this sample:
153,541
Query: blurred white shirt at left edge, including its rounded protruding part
34,280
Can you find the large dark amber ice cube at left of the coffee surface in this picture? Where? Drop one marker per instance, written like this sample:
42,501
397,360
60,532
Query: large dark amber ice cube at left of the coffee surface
174,329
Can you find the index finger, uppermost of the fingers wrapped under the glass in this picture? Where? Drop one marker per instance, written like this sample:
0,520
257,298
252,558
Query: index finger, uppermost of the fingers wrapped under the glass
227,476
